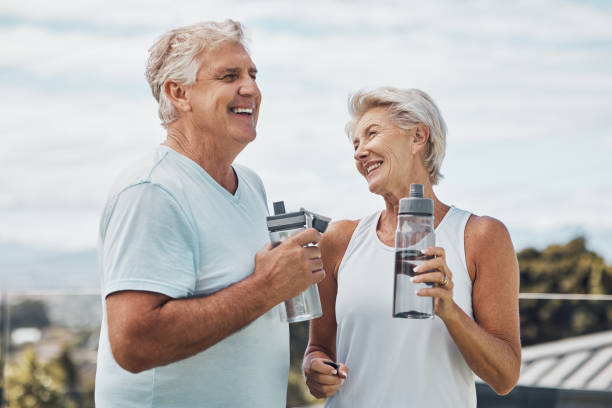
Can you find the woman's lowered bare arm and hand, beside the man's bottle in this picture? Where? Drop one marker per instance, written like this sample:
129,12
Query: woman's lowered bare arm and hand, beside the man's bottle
323,380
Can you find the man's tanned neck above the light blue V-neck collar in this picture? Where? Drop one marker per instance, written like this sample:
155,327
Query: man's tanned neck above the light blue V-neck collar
207,152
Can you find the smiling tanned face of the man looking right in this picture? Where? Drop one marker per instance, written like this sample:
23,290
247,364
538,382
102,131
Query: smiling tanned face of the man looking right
225,98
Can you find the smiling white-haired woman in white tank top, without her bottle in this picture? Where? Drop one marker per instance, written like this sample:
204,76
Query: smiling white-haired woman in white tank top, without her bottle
399,138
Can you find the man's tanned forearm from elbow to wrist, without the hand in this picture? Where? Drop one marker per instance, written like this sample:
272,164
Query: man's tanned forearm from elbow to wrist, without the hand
179,328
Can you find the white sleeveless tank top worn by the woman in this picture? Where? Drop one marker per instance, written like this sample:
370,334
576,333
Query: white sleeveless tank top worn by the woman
396,362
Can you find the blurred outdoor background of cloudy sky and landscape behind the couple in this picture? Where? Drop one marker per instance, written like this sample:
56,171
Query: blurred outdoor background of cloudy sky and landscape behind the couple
525,88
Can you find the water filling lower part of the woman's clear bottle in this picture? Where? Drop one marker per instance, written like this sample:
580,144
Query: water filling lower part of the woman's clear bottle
406,303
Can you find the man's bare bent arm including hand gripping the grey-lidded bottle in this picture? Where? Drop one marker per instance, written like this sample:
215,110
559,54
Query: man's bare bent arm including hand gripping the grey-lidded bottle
149,329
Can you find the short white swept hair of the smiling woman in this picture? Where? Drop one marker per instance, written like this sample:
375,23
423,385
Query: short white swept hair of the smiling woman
406,108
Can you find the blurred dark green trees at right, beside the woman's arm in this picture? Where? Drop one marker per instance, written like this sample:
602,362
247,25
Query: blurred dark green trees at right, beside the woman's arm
569,268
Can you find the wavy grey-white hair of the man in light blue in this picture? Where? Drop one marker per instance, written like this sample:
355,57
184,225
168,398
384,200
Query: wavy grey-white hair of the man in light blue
175,56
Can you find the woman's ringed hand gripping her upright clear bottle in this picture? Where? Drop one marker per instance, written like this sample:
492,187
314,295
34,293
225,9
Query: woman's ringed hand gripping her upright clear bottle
436,271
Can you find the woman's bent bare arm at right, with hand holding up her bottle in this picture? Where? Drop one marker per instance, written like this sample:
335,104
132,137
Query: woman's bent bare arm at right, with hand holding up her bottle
490,343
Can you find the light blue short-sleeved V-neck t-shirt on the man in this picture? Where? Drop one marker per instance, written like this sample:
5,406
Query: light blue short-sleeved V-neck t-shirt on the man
169,227
